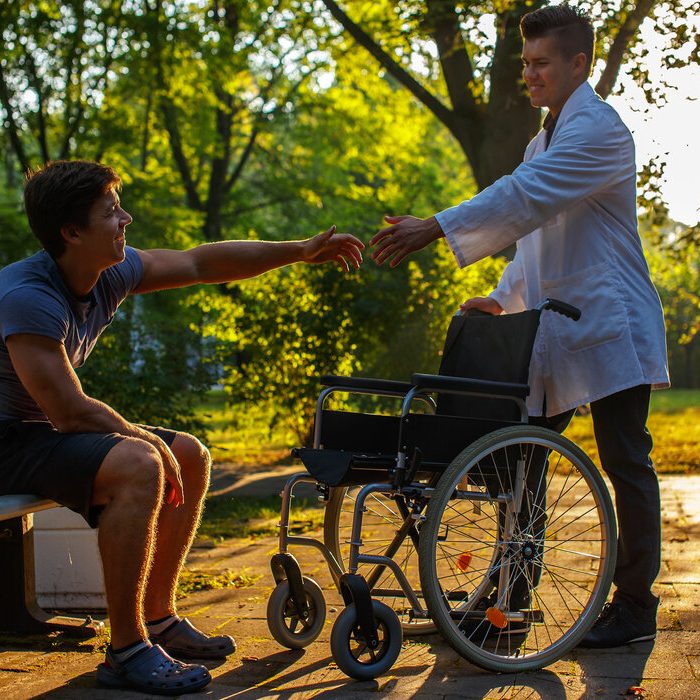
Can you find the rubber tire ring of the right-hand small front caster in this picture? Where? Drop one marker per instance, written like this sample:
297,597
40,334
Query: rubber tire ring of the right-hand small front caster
341,634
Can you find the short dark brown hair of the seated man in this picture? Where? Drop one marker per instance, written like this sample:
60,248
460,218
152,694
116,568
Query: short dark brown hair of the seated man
61,193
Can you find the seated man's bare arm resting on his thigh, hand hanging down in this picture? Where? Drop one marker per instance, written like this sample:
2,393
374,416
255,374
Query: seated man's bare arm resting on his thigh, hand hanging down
43,368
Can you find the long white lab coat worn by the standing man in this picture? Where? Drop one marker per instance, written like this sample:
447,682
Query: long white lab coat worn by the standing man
572,210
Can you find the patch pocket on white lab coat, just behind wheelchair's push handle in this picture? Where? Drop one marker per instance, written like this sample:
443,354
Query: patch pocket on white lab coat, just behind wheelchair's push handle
603,317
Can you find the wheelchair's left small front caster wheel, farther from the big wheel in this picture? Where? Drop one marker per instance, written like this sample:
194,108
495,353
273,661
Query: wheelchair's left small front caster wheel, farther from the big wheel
293,628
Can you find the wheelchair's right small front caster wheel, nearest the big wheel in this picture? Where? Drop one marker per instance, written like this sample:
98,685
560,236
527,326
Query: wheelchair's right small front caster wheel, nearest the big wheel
352,653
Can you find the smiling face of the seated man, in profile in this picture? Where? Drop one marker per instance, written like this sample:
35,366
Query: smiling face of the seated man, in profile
103,239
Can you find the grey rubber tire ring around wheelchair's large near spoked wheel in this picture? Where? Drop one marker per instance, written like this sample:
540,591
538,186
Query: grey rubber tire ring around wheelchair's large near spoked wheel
429,532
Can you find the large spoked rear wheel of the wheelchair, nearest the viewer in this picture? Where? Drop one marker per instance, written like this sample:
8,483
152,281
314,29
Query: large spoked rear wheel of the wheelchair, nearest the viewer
558,546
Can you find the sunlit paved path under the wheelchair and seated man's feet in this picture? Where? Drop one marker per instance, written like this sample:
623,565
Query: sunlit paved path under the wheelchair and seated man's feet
427,667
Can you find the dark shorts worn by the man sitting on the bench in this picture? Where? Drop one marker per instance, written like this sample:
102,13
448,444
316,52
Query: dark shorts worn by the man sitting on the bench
36,458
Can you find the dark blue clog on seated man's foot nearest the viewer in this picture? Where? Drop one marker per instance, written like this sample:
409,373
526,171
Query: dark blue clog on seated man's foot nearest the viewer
152,671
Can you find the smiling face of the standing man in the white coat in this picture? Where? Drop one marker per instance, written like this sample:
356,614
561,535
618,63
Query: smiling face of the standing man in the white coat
549,76
